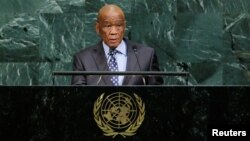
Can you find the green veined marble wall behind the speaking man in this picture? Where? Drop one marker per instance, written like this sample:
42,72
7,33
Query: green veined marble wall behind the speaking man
208,38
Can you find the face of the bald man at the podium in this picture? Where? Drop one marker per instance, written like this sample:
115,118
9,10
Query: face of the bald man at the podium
111,28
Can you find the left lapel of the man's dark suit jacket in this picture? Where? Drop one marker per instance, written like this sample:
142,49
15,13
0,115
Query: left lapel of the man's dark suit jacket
101,63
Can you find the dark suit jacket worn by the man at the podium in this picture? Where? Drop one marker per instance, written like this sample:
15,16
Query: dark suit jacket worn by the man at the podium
93,59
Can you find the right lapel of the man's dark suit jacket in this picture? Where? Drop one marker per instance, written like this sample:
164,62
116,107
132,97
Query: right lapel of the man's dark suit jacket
131,61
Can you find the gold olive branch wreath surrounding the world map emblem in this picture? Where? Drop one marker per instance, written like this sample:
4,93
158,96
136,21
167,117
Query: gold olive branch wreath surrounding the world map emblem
108,131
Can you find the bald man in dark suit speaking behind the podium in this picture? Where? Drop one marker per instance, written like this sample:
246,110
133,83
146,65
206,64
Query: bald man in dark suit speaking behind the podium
115,53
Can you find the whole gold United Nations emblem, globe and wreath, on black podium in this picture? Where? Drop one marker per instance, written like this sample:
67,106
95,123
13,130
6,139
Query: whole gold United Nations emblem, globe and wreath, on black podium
119,114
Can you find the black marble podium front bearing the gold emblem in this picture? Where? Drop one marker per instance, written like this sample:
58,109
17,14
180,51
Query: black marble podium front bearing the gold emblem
171,113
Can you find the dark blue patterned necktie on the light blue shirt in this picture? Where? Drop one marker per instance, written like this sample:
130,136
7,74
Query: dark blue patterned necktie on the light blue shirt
113,66
